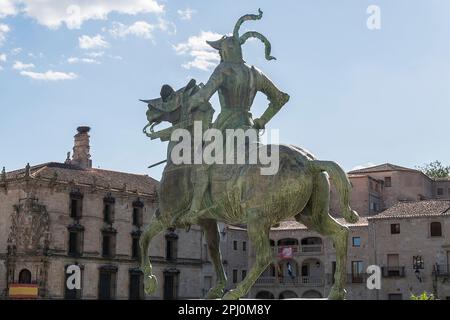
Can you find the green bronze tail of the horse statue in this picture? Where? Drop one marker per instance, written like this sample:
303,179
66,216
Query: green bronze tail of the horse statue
341,183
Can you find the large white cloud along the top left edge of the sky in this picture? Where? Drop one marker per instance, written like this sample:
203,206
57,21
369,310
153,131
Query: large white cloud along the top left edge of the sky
73,13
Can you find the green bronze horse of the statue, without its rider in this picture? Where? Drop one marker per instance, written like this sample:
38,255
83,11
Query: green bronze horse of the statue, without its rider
300,189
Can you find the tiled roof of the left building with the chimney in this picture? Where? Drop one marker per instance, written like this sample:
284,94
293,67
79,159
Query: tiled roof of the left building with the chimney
90,176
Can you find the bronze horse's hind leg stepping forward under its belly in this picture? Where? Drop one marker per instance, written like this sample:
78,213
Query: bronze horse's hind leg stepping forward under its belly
258,231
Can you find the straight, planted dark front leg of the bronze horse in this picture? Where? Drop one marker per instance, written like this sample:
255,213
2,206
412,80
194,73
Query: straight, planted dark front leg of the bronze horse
213,240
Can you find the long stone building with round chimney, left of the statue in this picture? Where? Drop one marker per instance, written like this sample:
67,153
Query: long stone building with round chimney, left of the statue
56,215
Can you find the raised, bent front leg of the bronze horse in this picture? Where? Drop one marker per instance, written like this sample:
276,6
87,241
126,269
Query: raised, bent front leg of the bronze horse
154,228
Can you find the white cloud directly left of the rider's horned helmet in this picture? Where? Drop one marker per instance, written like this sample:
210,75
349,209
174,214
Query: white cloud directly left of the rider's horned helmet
204,57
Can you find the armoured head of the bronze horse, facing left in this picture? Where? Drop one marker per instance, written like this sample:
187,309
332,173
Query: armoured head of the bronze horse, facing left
169,108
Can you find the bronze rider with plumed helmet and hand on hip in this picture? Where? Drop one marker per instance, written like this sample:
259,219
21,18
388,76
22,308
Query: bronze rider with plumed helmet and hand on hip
237,85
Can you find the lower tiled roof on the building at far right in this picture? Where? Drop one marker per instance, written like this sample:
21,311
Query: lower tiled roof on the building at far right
411,209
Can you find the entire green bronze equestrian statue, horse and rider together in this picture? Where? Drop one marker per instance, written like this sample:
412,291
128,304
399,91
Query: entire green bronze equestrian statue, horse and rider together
238,193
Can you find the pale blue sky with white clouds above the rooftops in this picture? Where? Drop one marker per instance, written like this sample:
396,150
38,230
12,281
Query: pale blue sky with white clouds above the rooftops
358,96
